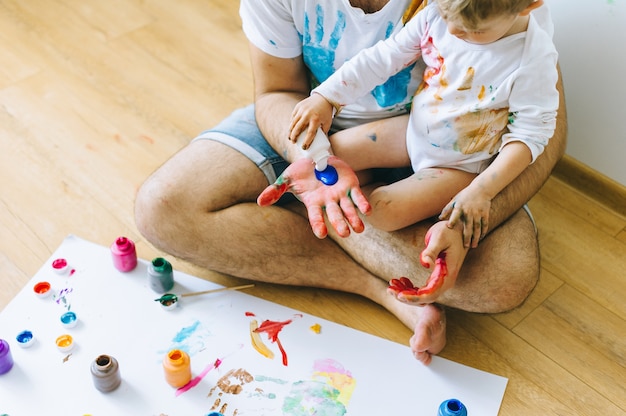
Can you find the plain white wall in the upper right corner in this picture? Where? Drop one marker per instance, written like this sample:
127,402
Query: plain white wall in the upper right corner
590,36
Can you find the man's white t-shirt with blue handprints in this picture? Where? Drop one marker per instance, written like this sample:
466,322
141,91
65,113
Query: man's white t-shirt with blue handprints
327,33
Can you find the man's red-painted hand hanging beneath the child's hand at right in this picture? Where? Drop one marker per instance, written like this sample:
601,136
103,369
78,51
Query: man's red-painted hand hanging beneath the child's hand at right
444,253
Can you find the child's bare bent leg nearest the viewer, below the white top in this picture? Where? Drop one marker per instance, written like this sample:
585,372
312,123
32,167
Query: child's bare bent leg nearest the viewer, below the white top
420,196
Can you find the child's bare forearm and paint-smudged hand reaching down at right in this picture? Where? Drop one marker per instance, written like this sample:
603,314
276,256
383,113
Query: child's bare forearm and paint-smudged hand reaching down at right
473,203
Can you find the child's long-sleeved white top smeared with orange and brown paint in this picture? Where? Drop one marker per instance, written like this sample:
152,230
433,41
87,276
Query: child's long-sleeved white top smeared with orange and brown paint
473,99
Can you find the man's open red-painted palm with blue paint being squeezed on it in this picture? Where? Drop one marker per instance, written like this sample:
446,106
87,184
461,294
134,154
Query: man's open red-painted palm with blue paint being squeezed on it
340,201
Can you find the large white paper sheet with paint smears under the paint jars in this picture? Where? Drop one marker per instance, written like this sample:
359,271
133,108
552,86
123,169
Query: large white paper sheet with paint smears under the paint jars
339,371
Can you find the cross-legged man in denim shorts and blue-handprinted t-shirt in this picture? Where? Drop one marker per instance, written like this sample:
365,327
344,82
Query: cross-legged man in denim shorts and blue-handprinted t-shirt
200,205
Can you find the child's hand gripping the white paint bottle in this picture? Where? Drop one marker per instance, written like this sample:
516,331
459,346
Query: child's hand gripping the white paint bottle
308,115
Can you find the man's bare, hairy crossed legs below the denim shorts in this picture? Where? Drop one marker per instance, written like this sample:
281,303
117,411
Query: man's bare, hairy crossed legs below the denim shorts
200,207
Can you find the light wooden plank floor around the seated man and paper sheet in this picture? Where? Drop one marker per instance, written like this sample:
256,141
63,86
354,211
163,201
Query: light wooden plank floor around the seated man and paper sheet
94,95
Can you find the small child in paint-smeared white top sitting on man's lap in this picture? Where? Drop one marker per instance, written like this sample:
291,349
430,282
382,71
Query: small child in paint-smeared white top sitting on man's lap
485,110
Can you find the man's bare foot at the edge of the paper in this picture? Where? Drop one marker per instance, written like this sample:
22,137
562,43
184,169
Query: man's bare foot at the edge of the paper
429,336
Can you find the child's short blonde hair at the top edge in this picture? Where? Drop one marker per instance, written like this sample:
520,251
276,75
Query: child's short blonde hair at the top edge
472,12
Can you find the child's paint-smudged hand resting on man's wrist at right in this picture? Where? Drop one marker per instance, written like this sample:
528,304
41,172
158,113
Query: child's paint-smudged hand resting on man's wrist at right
472,209
